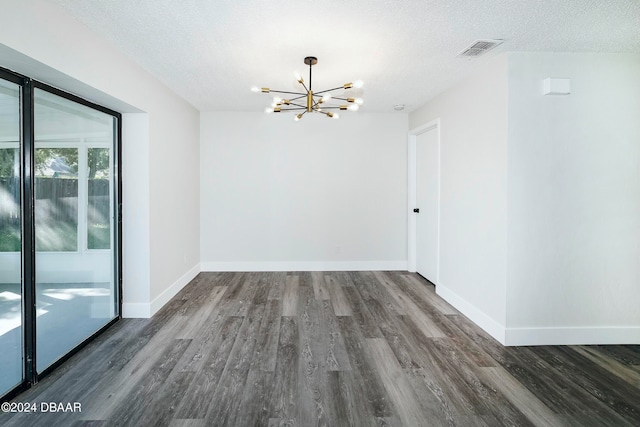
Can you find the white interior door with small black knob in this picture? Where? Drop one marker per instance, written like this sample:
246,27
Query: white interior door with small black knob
428,203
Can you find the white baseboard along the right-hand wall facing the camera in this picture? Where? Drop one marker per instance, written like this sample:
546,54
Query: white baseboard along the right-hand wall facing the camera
573,336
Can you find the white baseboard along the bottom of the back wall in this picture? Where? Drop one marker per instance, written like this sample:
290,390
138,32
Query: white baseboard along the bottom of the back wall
306,266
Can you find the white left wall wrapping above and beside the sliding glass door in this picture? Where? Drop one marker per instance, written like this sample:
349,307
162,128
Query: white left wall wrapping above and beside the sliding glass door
40,40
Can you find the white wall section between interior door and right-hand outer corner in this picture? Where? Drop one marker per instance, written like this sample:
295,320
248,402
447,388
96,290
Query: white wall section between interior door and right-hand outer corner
473,121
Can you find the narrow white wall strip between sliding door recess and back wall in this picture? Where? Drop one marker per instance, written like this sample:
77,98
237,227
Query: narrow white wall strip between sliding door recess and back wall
174,200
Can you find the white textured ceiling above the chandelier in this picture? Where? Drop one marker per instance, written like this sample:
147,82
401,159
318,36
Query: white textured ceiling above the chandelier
212,51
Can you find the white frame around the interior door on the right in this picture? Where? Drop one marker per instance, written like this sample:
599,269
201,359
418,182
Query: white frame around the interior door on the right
412,193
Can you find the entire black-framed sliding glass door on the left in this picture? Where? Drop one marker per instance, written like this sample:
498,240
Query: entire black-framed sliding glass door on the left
59,227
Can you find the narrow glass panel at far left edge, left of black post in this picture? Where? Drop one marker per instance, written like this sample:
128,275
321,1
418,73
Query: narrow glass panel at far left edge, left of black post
11,371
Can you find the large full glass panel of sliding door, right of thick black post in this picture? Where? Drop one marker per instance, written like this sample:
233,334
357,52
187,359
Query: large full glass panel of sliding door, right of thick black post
75,284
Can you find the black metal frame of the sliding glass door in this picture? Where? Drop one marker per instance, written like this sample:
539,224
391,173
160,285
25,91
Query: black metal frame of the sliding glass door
27,201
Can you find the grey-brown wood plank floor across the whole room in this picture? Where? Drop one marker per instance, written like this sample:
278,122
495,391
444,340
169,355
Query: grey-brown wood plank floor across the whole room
334,349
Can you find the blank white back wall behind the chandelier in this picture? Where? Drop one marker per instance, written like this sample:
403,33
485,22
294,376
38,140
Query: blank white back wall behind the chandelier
317,194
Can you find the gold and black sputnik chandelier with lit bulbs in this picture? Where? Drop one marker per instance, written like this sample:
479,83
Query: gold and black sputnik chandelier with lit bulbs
312,102
